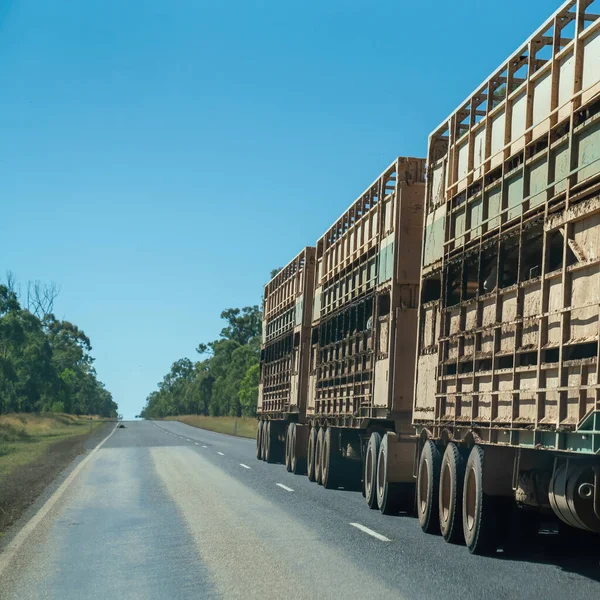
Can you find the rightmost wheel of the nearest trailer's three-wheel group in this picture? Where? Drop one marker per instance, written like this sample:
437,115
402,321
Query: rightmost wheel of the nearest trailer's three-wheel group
481,519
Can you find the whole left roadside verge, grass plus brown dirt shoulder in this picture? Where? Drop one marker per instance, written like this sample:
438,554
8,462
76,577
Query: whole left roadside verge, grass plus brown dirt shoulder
33,450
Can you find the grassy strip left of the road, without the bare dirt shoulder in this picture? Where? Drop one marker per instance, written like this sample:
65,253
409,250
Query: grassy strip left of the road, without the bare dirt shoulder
25,436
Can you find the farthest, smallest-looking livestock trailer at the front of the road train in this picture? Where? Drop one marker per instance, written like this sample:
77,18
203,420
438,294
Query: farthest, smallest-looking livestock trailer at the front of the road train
281,410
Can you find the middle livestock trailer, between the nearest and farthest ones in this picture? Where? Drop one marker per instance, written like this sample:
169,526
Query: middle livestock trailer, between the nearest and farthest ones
362,345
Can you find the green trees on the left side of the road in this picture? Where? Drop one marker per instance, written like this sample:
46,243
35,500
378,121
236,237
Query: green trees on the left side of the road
45,363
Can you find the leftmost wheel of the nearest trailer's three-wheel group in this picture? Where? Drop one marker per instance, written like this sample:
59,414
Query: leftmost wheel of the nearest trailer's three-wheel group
428,482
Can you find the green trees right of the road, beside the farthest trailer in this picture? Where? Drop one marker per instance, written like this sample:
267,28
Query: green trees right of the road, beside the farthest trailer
224,382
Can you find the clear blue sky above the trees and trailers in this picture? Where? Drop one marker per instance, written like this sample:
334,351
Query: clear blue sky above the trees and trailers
159,158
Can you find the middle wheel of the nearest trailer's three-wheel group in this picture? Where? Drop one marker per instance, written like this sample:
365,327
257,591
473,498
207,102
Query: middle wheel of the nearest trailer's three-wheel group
452,477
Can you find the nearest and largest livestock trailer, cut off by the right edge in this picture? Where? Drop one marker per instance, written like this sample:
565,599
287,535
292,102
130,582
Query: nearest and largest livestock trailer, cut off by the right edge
506,402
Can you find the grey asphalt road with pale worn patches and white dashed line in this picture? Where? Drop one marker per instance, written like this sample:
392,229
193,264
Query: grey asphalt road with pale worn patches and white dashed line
163,510
